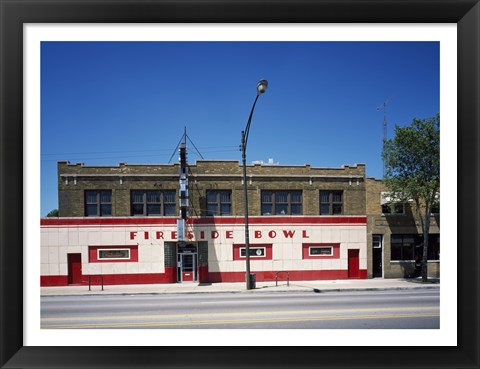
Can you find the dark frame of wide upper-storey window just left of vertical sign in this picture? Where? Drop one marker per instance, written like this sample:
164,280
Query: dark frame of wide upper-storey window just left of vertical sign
145,203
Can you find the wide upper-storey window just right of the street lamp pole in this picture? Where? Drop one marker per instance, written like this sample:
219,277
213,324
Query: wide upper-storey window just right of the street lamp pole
282,203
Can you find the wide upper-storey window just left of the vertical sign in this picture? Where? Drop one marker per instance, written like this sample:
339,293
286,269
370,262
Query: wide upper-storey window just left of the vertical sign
153,202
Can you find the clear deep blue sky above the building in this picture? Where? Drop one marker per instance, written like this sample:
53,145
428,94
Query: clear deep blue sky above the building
108,102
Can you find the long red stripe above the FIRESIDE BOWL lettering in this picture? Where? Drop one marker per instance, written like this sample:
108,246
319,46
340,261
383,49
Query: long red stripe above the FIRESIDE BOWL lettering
169,221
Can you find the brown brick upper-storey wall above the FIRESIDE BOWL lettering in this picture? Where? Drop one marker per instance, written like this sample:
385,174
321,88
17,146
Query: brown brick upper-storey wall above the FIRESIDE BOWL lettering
74,179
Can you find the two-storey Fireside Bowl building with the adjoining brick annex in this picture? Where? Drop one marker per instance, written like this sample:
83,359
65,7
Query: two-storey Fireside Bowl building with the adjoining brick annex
120,223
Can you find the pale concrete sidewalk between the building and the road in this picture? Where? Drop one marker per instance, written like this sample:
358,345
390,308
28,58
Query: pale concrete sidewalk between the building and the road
240,287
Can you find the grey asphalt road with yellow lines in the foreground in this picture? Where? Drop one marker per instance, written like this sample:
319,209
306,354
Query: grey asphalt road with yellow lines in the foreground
396,309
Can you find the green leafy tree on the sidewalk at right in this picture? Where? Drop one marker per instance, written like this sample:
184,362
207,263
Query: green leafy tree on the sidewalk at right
412,171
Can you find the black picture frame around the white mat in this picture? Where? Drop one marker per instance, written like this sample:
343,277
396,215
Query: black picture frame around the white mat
15,13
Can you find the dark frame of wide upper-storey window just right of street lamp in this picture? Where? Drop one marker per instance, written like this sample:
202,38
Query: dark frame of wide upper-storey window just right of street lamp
275,202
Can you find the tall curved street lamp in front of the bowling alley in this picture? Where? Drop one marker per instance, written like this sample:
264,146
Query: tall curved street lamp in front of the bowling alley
261,88
